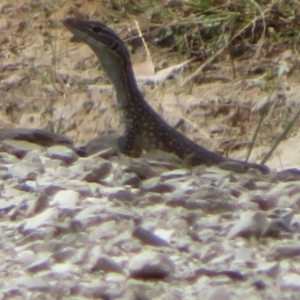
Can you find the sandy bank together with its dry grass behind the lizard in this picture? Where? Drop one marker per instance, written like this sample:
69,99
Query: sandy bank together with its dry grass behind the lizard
244,51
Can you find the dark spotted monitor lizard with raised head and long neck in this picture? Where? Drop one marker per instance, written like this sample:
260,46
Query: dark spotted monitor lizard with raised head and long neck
145,129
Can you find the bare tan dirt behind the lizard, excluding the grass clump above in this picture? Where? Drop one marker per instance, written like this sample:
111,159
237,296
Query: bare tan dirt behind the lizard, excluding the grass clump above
50,82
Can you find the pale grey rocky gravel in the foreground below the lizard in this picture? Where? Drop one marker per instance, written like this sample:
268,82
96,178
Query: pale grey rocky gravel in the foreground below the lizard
111,227
